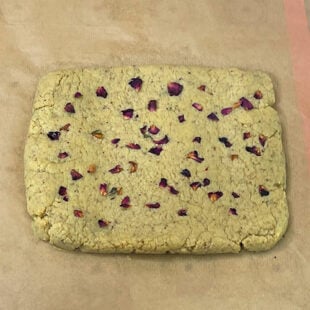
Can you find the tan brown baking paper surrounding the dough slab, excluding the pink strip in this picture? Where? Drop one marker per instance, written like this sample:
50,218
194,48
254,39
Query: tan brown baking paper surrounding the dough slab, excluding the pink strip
40,36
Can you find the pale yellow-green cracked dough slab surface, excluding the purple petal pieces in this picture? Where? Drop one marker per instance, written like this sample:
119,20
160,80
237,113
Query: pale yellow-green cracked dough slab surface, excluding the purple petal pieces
253,221
